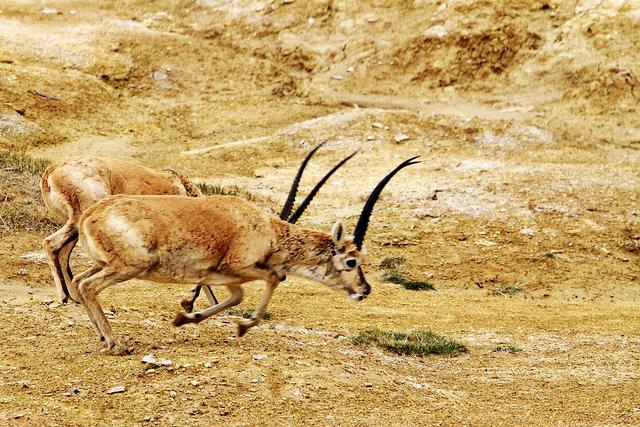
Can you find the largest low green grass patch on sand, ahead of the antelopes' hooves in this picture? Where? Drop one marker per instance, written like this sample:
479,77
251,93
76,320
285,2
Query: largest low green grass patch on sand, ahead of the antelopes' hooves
412,343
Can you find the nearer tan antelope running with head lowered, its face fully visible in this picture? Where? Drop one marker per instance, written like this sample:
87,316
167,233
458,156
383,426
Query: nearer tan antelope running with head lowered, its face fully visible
216,240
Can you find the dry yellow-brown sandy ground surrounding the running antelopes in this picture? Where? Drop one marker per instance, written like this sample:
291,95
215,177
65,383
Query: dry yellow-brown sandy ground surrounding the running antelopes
526,118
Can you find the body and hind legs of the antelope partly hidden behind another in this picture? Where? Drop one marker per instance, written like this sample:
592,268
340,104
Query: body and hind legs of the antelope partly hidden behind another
71,186
